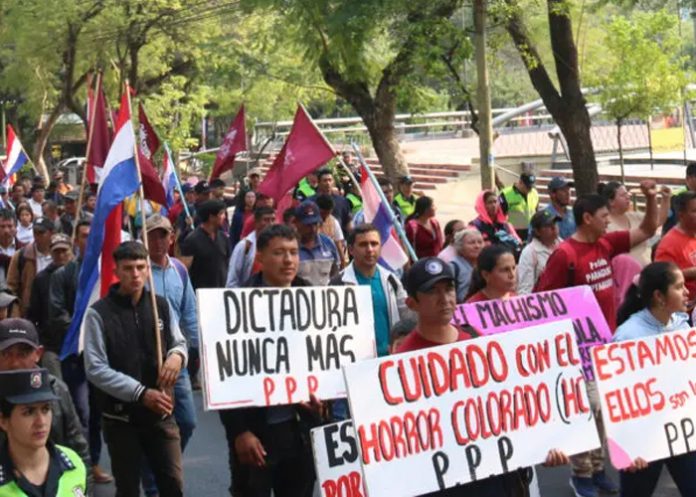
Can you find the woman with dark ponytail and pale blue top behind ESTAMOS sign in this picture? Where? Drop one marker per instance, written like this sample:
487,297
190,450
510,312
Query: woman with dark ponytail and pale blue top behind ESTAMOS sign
656,305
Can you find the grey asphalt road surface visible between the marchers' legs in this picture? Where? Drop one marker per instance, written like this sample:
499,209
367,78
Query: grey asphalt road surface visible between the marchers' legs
206,473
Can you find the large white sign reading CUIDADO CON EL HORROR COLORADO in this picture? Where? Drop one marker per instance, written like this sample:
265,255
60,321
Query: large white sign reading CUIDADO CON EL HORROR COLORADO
448,415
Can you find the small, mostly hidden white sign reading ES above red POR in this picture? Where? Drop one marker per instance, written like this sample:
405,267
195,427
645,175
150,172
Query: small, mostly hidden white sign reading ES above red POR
336,459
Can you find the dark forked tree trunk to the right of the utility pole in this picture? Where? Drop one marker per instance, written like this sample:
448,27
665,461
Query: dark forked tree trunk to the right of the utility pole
565,102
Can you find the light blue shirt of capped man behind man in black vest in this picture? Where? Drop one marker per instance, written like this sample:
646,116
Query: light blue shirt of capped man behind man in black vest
179,293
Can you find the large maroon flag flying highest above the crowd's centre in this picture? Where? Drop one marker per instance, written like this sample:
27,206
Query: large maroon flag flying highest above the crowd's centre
304,151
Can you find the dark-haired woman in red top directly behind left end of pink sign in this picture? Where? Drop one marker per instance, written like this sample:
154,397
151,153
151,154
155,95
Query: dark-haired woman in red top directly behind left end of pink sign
495,276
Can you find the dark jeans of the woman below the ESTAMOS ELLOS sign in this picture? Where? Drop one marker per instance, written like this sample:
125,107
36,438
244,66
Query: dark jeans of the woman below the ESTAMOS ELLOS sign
643,483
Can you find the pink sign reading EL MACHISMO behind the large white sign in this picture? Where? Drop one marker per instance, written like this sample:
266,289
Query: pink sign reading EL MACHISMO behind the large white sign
577,303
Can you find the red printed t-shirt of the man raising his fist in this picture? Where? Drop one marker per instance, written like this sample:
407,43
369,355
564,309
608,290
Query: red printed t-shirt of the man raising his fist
592,267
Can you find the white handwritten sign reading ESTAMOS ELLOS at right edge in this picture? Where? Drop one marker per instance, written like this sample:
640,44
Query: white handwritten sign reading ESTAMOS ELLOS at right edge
648,387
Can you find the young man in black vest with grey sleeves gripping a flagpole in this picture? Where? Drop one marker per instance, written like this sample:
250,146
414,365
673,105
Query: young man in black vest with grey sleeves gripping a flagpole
121,361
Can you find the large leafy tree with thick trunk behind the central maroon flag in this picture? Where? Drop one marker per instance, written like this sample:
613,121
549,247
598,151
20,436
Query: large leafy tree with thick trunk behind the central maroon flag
370,53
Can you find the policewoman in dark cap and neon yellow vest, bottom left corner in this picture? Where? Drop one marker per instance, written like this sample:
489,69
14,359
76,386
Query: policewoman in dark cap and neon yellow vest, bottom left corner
29,464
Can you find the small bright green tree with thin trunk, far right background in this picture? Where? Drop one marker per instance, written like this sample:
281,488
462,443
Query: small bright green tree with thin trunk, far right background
645,73
